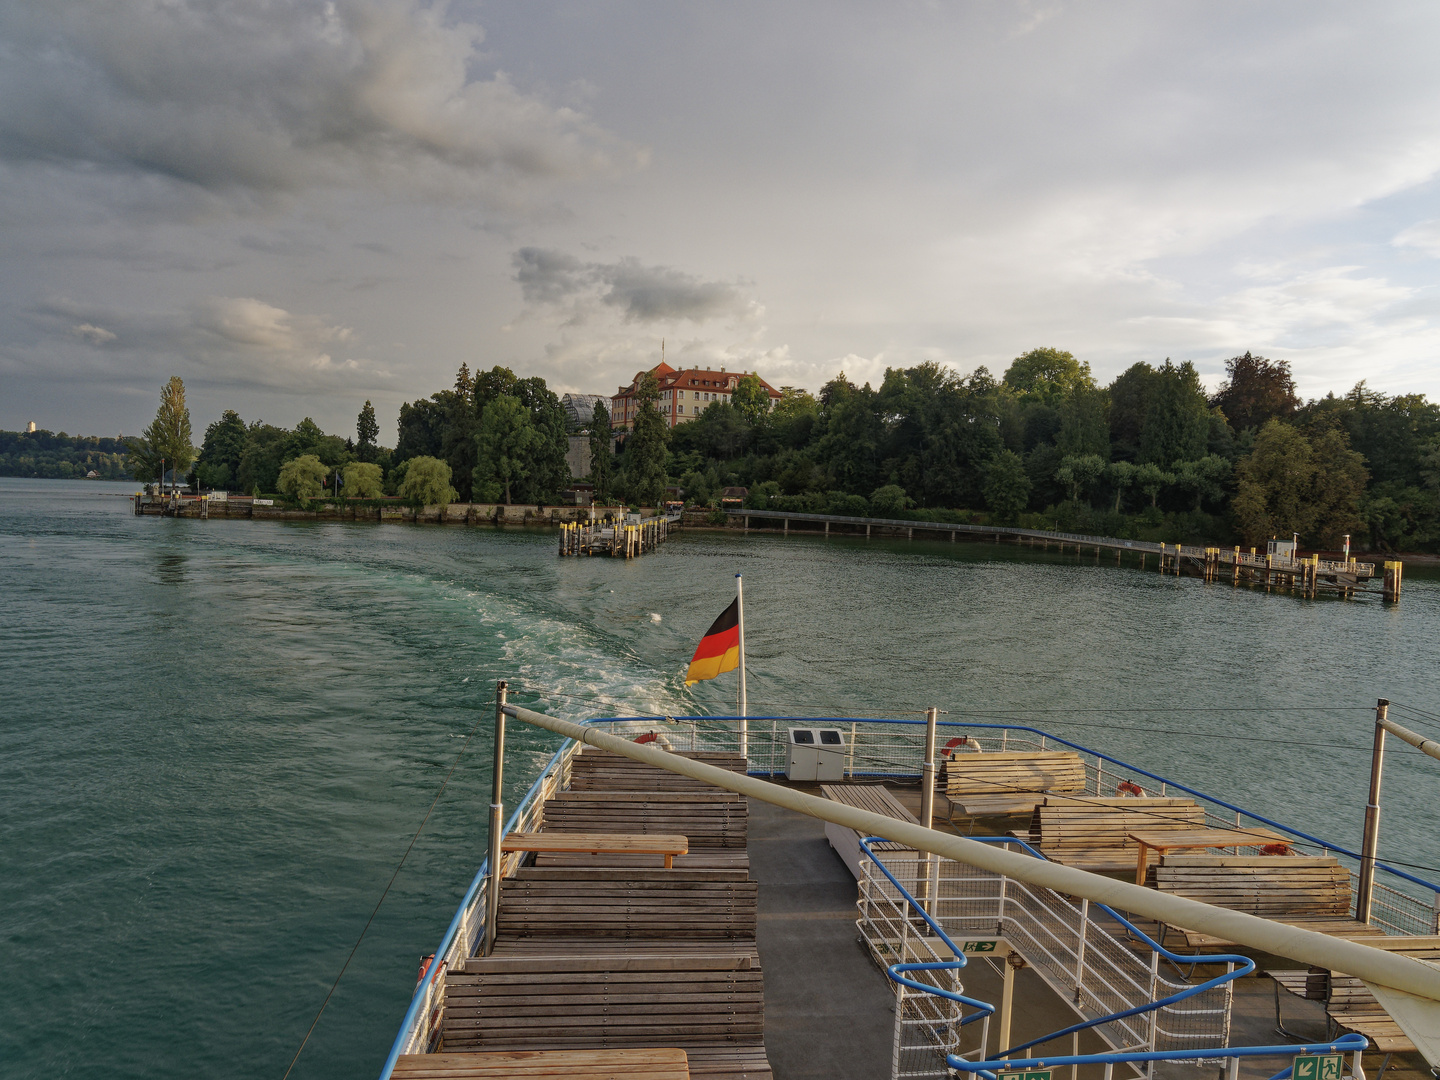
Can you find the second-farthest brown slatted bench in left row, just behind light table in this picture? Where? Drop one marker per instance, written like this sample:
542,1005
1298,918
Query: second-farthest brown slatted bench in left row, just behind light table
711,820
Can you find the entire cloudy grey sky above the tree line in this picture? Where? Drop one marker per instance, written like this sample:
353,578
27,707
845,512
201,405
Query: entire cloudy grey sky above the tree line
302,207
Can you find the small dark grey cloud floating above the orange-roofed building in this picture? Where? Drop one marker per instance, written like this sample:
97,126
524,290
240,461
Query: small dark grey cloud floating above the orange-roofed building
640,293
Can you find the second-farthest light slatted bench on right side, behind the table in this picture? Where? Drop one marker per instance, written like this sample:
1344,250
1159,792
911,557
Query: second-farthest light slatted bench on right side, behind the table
1092,833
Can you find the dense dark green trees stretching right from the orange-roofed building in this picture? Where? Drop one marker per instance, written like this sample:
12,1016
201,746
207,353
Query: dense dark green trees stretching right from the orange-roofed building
1148,457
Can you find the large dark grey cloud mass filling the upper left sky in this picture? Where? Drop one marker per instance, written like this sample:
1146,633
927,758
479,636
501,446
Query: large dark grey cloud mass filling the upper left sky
274,97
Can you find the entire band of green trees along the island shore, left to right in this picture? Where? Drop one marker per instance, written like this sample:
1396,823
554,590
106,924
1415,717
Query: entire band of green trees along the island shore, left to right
1151,456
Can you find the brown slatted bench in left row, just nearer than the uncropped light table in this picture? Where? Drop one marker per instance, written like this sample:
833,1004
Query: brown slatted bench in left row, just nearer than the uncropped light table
666,906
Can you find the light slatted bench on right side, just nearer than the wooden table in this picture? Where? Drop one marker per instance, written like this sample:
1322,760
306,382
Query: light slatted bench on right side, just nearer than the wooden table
1302,891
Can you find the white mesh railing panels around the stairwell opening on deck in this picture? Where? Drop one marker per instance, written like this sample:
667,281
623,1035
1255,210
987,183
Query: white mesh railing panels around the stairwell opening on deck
1072,950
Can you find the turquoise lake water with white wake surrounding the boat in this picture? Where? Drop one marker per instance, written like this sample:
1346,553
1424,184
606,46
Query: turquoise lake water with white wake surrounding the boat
220,737
